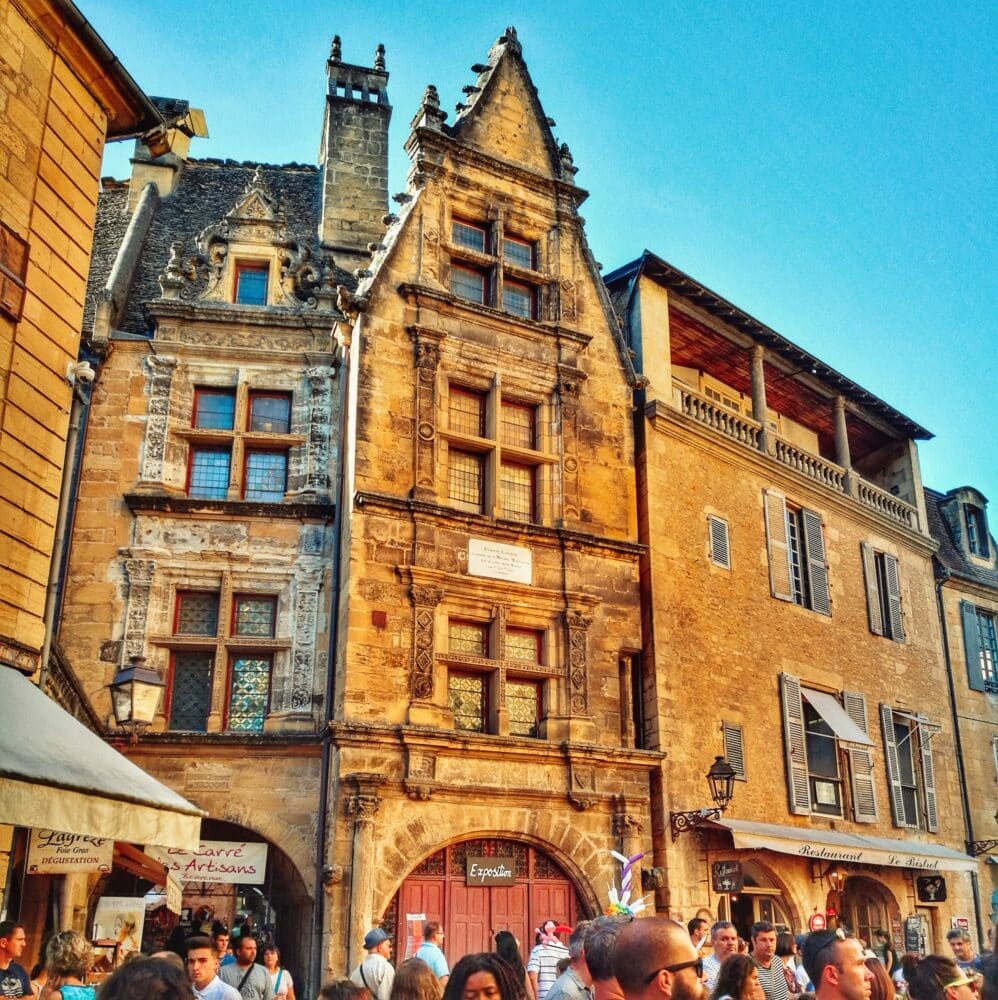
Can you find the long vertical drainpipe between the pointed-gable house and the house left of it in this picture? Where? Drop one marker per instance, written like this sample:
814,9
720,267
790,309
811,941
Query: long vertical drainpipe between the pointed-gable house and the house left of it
322,830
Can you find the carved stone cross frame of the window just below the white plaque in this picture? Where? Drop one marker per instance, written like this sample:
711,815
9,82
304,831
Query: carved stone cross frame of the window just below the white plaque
497,620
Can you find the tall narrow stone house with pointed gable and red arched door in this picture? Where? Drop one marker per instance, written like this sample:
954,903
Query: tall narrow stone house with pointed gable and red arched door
490,609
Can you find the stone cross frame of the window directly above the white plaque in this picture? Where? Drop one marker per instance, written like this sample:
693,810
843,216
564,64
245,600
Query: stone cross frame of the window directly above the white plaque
496,455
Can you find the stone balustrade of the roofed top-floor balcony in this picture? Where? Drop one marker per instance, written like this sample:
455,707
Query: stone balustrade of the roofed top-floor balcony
748,432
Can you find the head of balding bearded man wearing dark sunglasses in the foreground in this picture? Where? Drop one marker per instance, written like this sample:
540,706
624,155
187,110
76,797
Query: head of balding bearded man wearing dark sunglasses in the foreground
655,960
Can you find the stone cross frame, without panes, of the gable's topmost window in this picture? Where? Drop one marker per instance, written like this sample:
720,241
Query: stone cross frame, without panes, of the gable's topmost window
498,229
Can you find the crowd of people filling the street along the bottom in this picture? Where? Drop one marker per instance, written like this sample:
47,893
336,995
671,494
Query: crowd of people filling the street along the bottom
609,958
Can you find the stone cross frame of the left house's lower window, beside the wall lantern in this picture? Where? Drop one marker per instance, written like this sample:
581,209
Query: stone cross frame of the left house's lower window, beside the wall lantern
226,645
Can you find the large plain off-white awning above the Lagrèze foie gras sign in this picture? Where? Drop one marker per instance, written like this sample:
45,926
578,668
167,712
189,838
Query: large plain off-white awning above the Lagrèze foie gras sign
56,774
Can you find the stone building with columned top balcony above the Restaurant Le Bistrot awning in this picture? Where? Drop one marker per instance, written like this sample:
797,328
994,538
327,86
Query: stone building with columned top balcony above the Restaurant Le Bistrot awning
789,618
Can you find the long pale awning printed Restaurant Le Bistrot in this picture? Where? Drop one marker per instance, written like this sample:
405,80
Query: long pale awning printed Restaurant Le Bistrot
855,848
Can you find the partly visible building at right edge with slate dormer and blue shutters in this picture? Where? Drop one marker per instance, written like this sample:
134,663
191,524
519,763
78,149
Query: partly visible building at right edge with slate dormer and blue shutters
967,602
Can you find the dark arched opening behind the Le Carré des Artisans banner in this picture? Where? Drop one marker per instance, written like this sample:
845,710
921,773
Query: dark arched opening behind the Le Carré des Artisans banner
281,905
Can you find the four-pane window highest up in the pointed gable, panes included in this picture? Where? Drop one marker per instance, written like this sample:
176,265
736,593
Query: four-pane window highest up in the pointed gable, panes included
494,268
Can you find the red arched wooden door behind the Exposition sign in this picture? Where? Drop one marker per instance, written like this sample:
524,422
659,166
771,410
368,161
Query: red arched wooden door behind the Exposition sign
471,914
